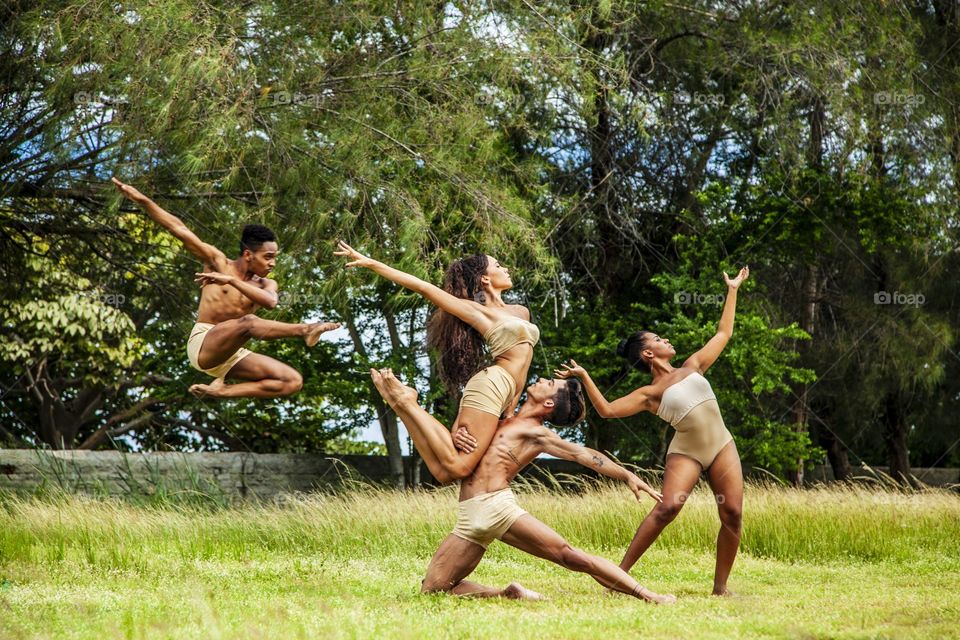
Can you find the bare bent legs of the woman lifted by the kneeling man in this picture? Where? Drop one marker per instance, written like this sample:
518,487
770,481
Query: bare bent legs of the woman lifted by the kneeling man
432,439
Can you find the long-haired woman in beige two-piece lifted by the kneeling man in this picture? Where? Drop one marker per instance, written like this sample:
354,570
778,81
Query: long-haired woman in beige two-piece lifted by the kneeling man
470,313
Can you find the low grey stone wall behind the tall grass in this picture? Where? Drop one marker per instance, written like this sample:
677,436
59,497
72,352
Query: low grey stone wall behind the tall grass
238,476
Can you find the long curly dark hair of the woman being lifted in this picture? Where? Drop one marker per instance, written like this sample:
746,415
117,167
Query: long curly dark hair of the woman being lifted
459,346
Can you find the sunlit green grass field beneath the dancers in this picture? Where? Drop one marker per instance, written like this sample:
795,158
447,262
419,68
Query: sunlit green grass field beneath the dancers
822,563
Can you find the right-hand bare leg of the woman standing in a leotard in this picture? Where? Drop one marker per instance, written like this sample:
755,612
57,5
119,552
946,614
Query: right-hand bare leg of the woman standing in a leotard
726,480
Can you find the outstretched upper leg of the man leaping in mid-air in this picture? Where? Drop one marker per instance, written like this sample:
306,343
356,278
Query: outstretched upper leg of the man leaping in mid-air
223,340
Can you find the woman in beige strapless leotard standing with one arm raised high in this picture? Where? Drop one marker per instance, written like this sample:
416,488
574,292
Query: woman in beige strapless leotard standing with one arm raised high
683,397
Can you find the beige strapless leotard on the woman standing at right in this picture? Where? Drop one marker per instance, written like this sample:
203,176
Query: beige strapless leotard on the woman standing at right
690,406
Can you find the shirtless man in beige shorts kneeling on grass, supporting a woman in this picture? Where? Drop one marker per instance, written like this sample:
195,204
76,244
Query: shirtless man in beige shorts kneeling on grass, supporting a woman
488,508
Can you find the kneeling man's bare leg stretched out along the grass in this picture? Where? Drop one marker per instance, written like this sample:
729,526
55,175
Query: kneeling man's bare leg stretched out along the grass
530,535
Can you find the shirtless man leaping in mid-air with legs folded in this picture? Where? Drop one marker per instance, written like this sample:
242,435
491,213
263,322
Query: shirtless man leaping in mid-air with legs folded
231,292
